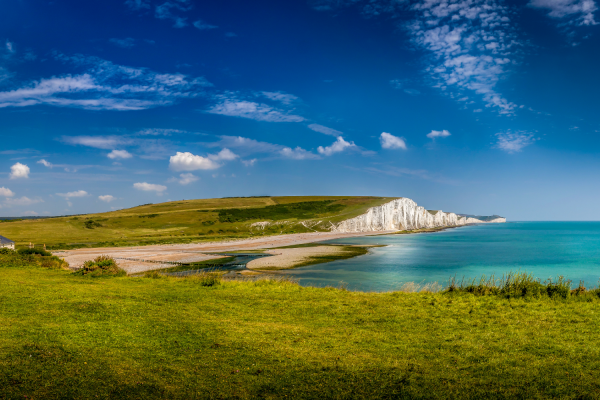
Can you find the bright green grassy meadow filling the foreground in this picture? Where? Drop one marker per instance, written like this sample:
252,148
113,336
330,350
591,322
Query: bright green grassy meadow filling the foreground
65,336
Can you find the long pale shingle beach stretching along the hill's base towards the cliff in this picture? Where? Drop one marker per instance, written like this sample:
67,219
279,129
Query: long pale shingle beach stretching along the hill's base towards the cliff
145,258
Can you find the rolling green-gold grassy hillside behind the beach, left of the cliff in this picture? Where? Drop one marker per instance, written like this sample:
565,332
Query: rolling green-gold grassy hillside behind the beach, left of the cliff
190,221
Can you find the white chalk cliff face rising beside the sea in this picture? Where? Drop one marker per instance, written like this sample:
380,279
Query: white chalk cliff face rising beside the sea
403,214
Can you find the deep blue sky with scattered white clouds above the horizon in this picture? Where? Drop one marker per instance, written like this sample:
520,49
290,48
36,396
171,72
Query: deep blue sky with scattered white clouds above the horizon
470,106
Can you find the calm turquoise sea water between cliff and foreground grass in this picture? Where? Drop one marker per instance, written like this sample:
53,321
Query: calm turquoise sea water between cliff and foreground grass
545,249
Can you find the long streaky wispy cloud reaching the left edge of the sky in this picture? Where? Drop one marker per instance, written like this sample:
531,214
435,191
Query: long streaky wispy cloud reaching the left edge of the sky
105,86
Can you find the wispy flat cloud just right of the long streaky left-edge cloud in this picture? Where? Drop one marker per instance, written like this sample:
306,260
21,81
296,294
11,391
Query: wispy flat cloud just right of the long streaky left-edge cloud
253,110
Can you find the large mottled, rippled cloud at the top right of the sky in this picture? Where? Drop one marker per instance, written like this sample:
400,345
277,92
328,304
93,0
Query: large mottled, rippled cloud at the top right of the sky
471,42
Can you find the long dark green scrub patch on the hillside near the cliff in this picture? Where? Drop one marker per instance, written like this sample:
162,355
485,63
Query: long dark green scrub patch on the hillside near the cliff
305,210
